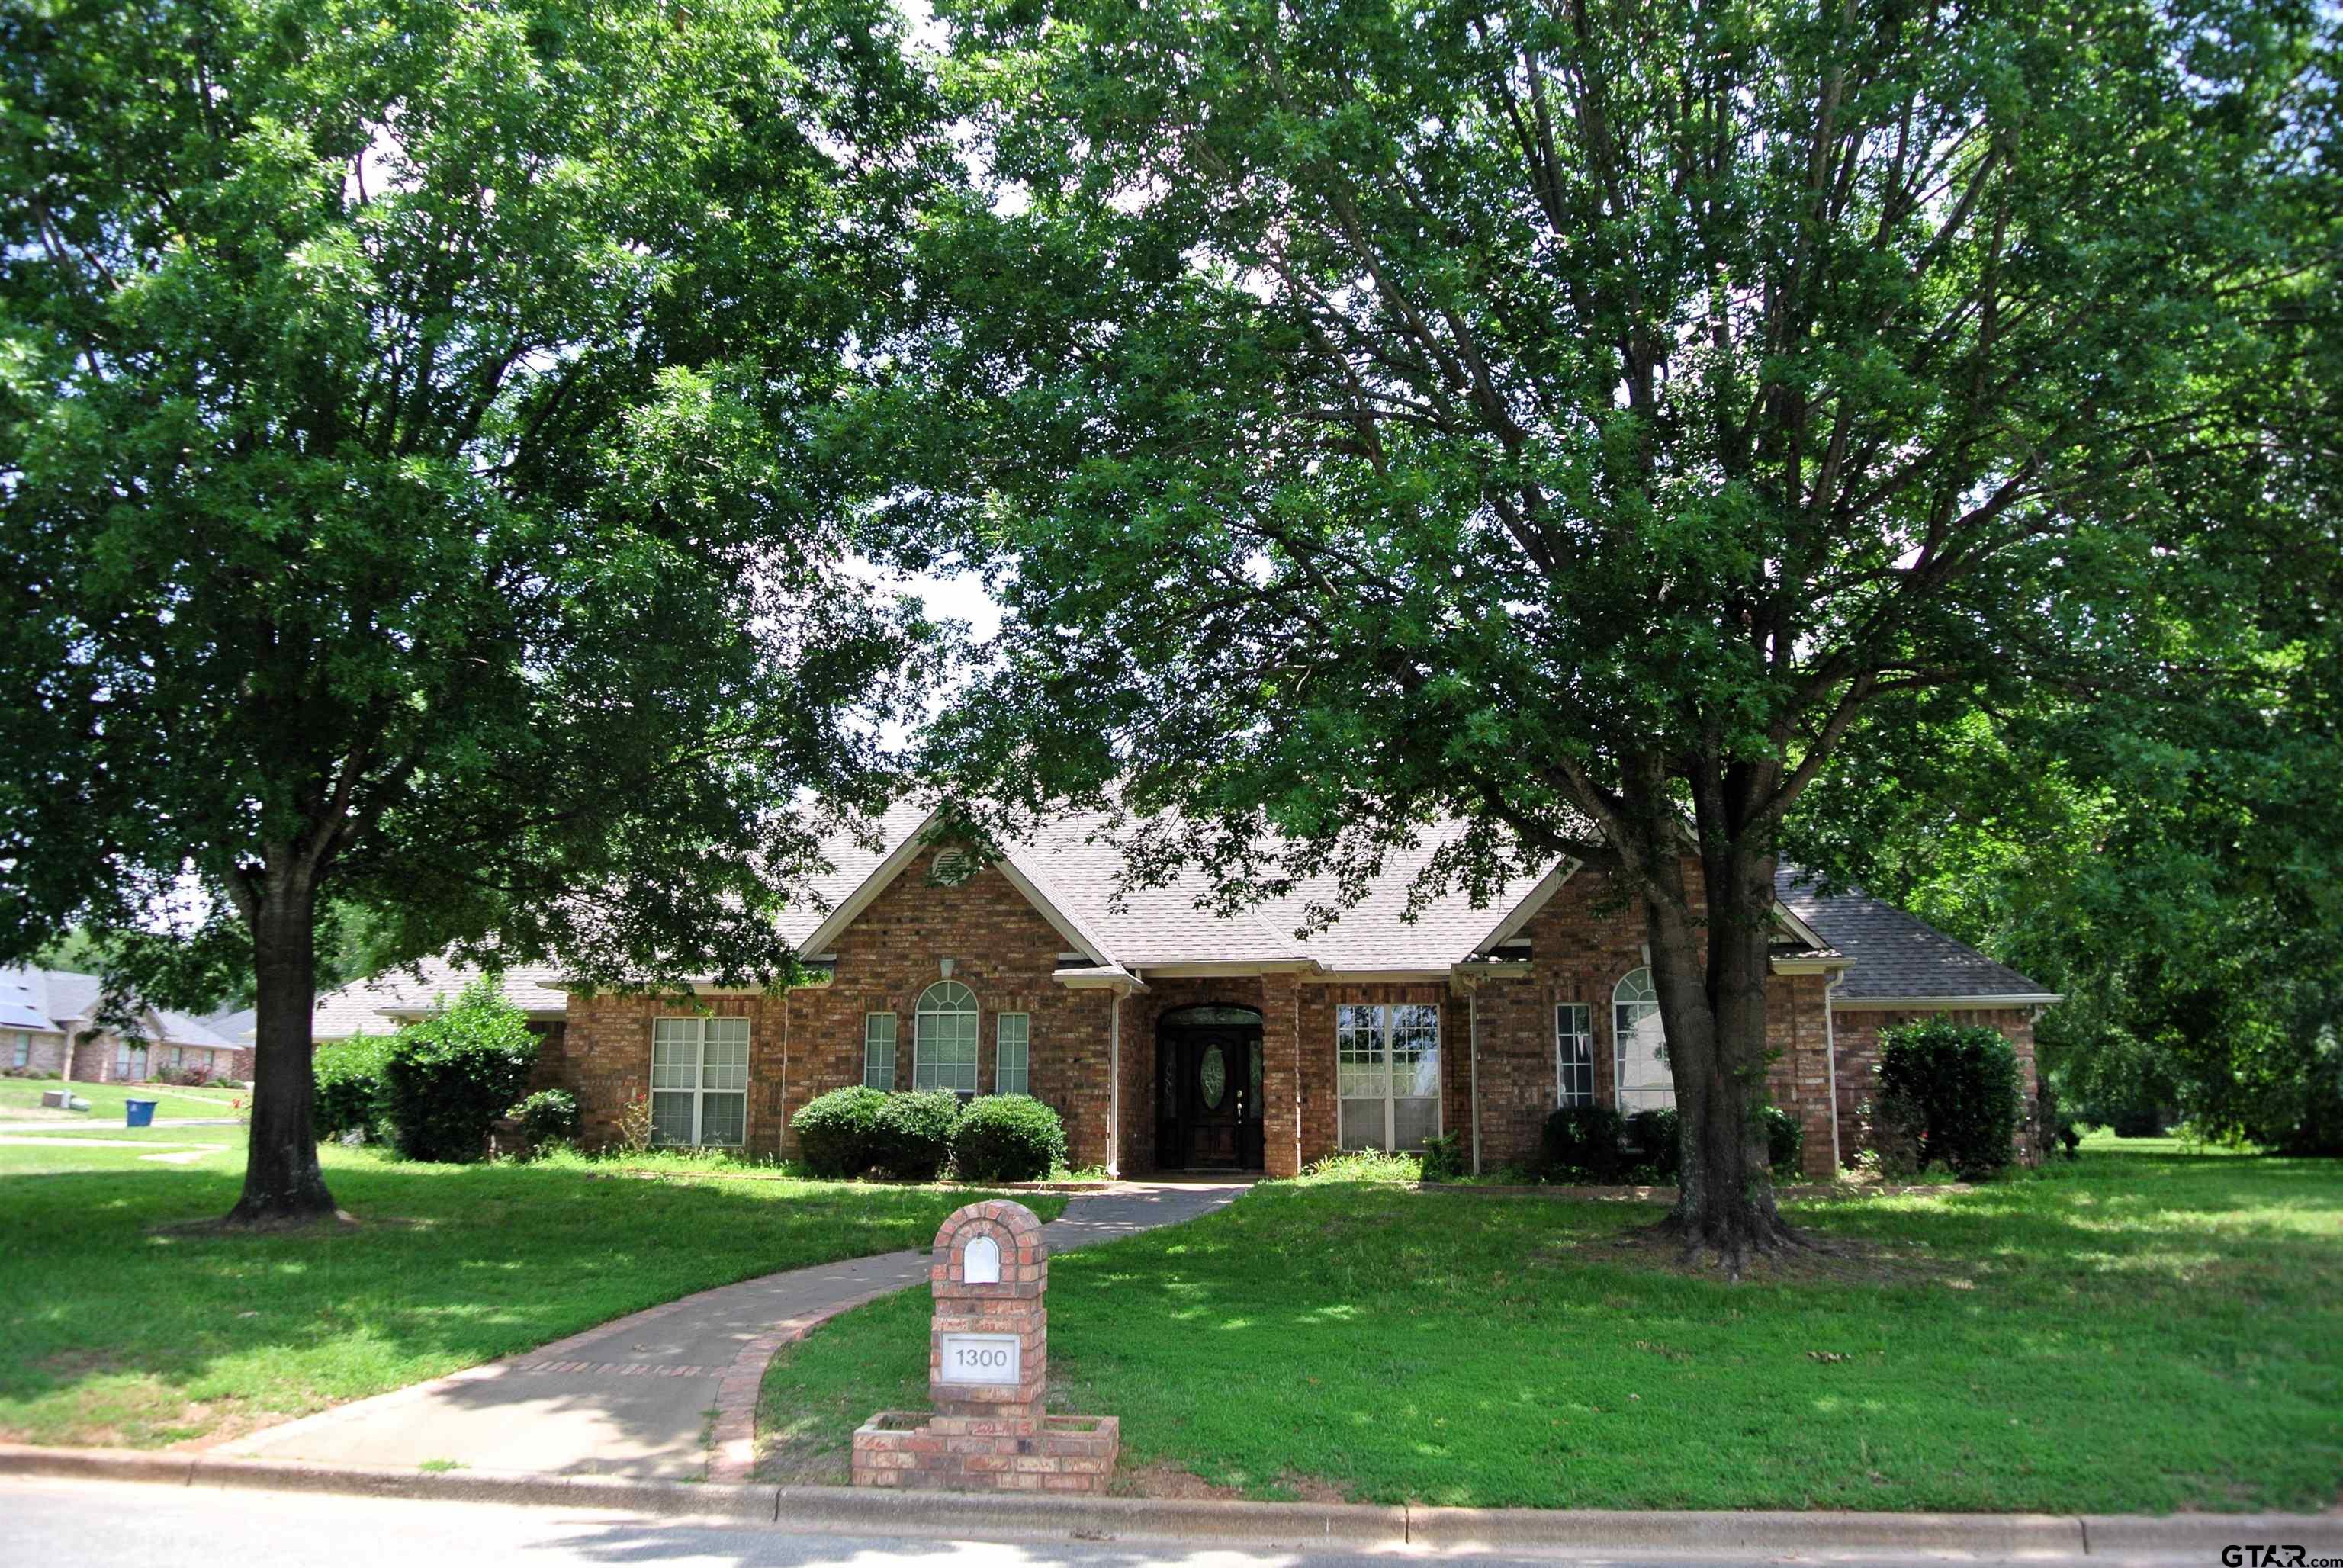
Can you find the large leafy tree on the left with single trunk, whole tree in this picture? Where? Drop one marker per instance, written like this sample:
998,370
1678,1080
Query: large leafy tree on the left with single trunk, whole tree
416,491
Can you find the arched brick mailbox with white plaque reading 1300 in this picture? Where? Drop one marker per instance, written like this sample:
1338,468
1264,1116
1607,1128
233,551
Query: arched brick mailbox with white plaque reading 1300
988,1375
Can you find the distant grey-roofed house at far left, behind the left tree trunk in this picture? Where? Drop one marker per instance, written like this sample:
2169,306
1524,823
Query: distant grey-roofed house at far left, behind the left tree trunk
50,1025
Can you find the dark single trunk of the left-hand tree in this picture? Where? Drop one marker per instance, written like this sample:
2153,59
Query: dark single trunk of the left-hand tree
282,1180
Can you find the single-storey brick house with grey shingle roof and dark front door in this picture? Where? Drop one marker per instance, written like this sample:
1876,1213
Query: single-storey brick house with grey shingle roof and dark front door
1175,1039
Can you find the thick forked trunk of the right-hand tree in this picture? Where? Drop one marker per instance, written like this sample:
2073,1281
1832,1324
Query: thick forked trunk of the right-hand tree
1714,1011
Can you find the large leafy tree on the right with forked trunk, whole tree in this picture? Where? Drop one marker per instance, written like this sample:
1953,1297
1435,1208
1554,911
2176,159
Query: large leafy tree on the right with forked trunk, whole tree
1573,418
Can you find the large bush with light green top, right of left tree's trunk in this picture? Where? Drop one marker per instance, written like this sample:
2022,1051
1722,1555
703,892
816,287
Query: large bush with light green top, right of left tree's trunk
451,1077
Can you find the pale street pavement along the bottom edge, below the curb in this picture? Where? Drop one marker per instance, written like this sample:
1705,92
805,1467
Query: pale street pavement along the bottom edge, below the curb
95,1525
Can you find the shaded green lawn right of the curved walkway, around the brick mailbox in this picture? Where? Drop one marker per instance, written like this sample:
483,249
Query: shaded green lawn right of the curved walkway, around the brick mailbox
2140,1330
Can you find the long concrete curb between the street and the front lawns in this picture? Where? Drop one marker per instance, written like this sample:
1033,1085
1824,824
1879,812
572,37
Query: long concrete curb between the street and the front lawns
845,1511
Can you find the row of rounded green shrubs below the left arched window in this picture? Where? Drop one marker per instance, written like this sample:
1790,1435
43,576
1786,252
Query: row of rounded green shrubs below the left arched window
920,1136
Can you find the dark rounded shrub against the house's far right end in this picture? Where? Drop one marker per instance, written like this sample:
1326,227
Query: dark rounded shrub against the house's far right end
1953,1093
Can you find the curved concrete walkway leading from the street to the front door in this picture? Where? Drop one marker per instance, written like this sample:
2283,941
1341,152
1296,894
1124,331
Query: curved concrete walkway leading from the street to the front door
667,1393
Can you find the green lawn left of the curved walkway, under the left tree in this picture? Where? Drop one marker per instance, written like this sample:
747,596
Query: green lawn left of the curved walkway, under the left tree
123,1330
